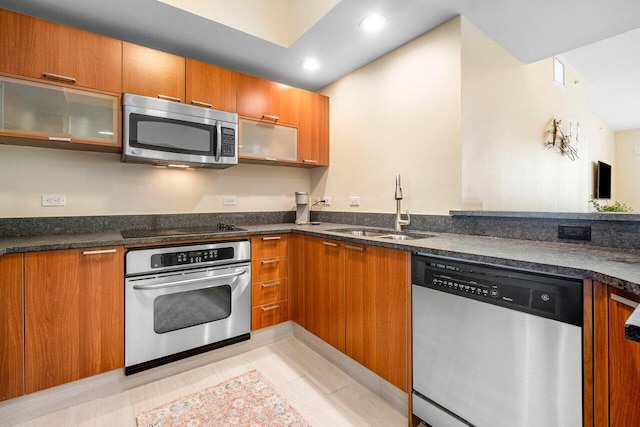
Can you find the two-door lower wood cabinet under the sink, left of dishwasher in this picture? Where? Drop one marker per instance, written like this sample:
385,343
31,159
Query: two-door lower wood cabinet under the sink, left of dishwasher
355,298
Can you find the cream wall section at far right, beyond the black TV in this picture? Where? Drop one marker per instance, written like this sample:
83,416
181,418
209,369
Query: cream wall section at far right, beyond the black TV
627,169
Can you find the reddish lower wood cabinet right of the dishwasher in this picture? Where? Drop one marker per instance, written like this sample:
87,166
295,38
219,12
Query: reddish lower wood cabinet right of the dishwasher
616,360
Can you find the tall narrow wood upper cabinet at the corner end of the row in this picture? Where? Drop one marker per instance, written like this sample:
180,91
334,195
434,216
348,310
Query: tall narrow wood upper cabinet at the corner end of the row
313,132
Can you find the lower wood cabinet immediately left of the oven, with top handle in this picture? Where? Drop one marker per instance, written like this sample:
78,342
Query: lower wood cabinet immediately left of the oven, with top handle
74,315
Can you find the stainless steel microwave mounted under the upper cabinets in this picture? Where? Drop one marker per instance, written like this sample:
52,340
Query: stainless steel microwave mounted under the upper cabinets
173,134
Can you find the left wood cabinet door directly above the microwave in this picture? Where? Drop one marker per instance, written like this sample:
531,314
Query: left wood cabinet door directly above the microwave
152,73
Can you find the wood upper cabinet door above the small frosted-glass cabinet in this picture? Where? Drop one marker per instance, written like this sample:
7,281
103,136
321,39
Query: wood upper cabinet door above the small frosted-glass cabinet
269,101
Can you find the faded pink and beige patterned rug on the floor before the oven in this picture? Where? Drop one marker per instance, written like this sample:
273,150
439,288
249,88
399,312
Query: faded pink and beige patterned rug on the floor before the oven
246,400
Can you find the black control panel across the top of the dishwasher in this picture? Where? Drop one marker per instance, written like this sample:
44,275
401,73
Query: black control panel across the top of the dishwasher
551,296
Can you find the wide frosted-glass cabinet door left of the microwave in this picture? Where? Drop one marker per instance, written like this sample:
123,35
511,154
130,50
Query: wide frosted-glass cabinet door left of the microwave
53,116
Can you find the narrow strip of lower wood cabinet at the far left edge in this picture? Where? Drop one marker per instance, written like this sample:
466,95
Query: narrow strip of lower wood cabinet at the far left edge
11,327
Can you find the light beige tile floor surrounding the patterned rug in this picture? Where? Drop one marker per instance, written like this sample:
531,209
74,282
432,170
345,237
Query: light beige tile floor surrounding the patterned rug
322,393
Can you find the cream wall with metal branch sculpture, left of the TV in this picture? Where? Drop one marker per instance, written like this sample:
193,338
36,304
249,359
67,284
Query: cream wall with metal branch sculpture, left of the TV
506,109
